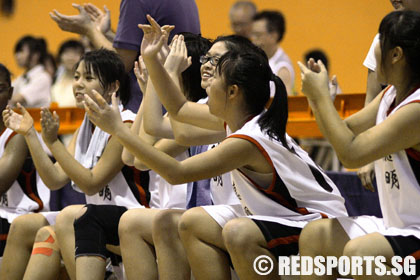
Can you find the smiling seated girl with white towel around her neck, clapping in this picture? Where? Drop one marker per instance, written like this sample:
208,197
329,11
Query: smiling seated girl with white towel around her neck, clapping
92,162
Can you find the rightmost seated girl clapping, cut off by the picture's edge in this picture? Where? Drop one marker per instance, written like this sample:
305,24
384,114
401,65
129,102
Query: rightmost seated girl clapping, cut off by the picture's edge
387,132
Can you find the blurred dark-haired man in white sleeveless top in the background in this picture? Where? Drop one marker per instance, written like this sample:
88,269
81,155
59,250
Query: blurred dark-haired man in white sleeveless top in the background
268,29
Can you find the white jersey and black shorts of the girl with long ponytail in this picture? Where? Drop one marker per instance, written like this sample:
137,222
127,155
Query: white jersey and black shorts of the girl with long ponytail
299,191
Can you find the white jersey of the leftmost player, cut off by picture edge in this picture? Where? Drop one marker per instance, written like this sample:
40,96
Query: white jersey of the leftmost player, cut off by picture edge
27,194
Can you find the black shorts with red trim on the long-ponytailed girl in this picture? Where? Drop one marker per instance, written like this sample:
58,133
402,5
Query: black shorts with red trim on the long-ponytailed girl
282,240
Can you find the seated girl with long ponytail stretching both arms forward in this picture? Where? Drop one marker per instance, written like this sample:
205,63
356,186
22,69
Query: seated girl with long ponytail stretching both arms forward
276,182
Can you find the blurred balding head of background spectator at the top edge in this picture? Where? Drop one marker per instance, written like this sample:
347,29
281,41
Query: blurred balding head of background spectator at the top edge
241,14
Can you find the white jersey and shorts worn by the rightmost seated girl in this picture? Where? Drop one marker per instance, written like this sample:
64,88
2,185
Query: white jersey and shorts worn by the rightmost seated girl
398,180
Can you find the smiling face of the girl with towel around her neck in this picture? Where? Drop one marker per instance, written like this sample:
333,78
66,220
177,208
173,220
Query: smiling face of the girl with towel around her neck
84,83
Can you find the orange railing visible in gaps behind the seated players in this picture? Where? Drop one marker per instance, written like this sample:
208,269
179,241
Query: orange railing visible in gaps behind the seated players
301,123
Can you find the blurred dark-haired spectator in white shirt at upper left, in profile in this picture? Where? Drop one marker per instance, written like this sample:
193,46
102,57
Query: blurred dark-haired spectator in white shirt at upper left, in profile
32,89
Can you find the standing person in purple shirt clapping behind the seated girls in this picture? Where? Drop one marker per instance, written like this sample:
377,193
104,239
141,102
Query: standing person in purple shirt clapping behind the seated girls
181,13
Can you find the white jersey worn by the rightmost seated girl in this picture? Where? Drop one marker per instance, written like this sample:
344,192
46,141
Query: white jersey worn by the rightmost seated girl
398,174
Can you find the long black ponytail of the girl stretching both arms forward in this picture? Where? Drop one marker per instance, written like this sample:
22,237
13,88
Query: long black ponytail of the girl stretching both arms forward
274,120
